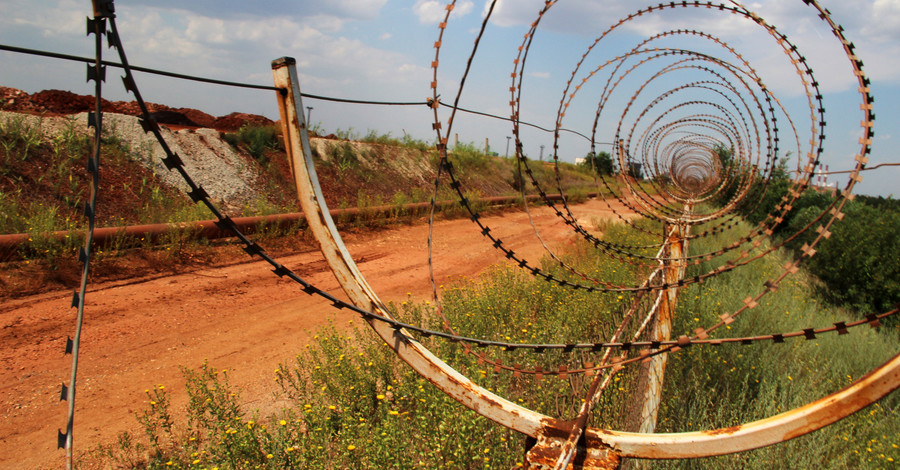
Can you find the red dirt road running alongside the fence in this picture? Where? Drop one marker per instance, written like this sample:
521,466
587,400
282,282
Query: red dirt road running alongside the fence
242,318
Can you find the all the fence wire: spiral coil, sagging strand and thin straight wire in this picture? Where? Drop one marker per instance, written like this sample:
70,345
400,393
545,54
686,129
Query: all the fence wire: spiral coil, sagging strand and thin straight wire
645,144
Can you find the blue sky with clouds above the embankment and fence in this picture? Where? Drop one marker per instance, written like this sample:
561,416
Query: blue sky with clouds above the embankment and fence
382,50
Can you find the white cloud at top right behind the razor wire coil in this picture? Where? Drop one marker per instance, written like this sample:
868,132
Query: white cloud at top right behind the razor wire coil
873,25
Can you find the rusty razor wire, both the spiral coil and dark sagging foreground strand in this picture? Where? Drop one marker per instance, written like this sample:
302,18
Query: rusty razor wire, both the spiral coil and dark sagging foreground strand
646,144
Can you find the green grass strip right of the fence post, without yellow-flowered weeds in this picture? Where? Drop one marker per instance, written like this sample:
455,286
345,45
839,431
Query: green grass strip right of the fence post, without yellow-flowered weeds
708,387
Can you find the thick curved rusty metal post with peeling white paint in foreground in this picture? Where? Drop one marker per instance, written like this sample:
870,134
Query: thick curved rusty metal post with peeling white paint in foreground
604,445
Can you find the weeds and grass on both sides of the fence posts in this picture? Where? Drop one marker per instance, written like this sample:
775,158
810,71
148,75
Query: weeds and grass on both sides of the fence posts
353,404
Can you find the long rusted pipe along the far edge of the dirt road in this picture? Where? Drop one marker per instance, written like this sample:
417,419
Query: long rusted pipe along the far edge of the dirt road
134,235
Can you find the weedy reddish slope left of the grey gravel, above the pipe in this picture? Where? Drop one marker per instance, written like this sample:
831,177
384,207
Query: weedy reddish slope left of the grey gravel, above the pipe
46,185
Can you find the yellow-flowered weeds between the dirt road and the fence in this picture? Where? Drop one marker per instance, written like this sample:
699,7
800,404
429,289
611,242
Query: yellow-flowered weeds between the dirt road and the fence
353,404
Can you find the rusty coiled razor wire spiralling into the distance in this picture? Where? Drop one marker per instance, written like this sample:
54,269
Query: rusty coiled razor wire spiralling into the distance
689,144
